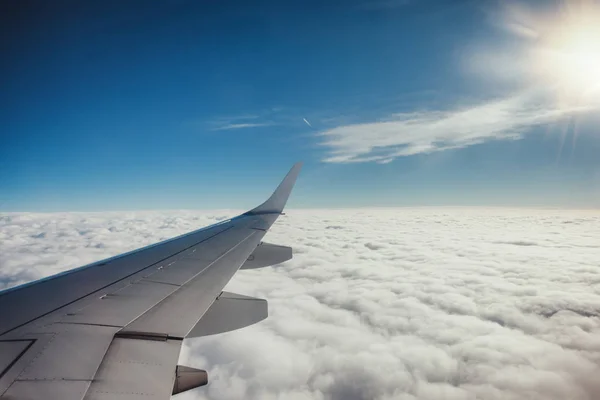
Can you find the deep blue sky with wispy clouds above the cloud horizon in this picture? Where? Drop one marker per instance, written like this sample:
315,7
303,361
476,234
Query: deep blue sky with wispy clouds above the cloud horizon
153,105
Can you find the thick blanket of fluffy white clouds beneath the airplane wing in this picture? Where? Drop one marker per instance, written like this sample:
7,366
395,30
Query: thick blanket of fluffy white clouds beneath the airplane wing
449,303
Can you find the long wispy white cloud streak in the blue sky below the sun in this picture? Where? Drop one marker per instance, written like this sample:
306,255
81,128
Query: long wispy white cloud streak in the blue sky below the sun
431,131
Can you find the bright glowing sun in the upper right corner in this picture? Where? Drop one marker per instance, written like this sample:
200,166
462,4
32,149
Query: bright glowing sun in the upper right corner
569,55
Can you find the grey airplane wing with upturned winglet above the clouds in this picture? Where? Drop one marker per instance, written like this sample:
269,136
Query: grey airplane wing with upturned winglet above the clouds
113,329
